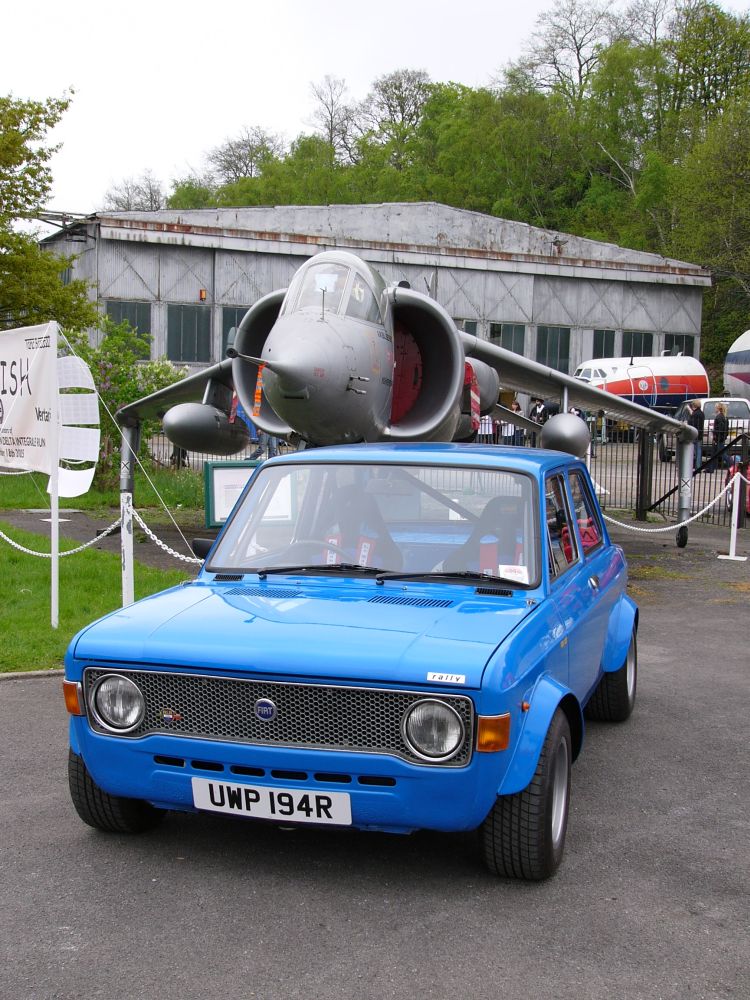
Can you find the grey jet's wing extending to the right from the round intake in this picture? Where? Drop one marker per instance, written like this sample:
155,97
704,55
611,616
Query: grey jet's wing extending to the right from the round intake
524,375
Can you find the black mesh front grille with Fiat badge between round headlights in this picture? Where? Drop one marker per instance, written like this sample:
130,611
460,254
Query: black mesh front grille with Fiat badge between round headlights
316,716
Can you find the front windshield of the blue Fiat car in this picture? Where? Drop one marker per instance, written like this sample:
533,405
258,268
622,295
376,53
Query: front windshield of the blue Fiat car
385,518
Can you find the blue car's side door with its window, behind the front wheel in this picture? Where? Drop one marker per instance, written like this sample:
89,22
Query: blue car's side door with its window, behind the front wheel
580,578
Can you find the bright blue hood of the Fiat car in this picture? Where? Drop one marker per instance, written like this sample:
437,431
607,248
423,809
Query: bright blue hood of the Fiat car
395,633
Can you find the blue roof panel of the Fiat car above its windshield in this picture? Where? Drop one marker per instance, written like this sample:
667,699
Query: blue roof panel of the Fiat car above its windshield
533,461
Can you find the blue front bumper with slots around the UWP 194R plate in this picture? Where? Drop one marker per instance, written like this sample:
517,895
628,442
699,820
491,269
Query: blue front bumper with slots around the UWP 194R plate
386,793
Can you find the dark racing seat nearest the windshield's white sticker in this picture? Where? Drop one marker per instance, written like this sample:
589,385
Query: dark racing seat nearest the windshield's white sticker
494,540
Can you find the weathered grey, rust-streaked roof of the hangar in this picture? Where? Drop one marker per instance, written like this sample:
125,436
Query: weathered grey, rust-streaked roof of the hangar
398,230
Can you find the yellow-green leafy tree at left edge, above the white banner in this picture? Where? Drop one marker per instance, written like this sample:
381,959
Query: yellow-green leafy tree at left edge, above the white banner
31,289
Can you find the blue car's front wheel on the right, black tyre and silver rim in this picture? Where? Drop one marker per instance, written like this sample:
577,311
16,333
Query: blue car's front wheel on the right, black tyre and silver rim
524,834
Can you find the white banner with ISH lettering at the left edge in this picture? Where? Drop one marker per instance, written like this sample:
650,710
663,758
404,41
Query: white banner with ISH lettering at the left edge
28,398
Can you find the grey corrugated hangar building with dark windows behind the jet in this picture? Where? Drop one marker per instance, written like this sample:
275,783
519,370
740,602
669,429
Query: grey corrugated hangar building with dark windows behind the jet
188,277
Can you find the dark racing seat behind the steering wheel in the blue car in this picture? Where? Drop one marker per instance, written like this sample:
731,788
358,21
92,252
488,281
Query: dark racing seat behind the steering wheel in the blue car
361,531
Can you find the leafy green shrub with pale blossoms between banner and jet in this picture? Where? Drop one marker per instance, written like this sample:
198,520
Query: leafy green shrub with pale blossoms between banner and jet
122,373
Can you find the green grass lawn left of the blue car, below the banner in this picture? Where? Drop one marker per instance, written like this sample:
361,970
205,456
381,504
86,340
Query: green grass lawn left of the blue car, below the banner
90,586
